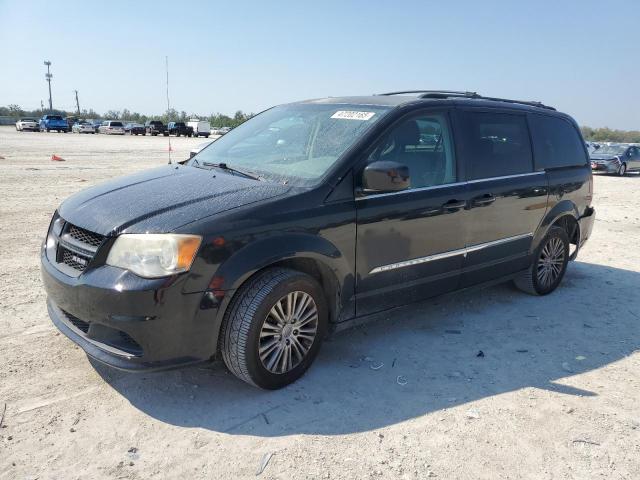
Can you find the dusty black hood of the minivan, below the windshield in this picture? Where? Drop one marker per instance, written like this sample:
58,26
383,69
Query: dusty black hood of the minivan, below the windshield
162,199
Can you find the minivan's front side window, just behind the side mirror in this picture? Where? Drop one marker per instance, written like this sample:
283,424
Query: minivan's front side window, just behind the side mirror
424,145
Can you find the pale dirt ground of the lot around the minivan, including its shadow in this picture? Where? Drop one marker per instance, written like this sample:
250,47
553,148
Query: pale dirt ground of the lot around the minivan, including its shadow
555,396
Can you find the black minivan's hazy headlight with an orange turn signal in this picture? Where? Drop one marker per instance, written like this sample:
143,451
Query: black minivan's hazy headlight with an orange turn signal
154,255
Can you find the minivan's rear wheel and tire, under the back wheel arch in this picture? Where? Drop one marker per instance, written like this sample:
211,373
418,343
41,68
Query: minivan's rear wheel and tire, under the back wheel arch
554,245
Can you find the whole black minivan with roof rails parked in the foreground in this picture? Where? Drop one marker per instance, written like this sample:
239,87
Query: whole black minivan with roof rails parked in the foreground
311,217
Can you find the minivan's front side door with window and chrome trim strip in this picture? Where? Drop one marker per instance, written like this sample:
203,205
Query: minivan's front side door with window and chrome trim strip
410,243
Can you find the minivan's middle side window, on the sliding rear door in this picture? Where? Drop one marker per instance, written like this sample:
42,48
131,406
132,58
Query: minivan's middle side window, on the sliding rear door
497,144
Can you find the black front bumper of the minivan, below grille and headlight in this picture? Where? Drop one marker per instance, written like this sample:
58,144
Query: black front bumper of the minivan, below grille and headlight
131,323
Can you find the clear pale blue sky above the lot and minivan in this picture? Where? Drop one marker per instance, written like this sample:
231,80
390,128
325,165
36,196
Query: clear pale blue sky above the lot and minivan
581,56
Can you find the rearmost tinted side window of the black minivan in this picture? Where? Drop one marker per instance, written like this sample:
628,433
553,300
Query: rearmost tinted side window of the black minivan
556,142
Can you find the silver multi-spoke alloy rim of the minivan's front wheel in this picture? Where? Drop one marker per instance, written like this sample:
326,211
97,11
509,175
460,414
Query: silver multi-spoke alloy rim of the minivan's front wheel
288,332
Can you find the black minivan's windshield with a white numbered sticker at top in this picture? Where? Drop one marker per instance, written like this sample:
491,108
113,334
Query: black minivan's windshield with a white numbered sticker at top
292,143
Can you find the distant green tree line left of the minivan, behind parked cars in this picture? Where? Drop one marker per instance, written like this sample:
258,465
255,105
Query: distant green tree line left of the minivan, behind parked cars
171,115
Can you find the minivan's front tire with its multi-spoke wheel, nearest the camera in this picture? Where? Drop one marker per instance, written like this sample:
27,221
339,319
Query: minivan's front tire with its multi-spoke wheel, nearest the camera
250,313
